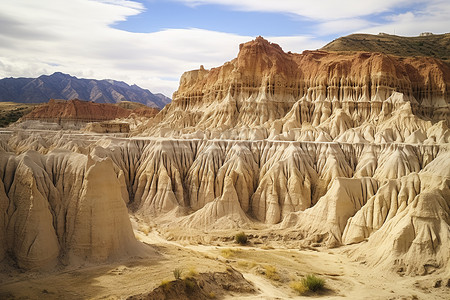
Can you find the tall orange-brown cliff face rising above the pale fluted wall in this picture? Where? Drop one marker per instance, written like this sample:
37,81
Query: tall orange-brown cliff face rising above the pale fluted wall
263,83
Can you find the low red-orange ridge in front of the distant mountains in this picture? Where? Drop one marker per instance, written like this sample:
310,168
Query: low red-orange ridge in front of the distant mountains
77,110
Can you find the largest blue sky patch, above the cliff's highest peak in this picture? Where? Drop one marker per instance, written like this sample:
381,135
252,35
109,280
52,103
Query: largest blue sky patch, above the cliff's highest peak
160,15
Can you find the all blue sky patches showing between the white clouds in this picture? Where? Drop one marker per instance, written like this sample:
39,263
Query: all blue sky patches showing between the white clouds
159,15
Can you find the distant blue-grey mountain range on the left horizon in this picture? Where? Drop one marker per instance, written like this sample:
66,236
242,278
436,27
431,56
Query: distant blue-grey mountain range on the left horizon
63,86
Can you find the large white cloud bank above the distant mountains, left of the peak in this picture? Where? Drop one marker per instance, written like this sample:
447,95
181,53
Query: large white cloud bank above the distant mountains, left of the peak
75,37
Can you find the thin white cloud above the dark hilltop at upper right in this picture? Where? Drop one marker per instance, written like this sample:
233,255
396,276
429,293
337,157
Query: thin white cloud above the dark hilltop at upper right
347,16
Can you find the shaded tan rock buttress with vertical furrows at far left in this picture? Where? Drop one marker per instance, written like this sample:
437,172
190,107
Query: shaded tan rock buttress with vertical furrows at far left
62,207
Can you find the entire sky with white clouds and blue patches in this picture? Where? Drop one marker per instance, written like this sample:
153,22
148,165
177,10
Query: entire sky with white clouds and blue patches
152,42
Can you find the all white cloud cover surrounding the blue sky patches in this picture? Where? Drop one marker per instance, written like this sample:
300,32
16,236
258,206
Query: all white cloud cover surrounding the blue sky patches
76,37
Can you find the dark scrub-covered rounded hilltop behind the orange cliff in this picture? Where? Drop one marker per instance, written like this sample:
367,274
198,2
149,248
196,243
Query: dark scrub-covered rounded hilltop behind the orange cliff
427,44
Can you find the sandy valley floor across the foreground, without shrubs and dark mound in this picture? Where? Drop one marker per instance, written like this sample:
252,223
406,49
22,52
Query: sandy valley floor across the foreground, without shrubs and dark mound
270,269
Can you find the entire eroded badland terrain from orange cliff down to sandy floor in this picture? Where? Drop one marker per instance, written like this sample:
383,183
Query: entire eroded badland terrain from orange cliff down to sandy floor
333,163
